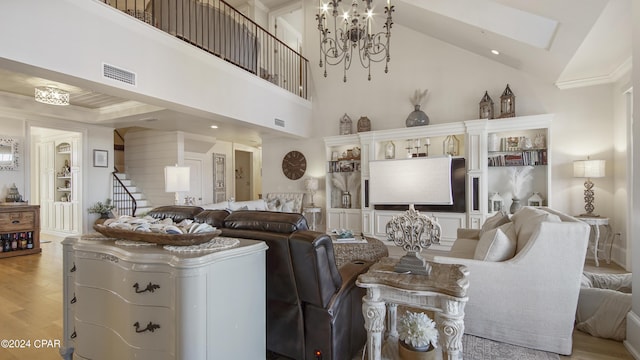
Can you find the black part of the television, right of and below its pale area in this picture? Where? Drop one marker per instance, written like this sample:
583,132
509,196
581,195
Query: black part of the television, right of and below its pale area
458,190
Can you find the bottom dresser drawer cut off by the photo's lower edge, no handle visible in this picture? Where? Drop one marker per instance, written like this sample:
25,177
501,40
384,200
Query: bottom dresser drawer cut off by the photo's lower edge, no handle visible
99,343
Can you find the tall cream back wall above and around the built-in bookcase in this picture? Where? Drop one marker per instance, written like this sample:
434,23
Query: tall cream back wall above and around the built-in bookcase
456,80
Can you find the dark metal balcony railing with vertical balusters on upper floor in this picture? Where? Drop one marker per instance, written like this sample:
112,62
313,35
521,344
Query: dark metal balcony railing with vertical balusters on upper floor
216,27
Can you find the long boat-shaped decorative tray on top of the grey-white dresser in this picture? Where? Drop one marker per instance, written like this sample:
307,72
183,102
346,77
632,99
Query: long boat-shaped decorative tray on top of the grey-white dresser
157,238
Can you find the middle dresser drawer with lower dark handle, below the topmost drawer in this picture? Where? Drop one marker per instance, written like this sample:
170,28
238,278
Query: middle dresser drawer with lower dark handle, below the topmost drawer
143,327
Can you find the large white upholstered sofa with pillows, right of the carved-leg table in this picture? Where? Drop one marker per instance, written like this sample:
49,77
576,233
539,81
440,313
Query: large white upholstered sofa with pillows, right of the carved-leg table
522,291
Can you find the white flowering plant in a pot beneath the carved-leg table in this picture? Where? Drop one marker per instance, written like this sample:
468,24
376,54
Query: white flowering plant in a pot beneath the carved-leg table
417,336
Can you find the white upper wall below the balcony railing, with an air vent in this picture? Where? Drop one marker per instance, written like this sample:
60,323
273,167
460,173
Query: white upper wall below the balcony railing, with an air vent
60,33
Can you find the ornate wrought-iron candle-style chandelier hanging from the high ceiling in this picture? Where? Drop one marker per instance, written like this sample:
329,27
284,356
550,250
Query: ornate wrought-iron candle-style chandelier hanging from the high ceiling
351,31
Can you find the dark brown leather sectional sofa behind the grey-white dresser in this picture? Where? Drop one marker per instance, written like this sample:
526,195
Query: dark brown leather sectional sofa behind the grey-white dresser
313,307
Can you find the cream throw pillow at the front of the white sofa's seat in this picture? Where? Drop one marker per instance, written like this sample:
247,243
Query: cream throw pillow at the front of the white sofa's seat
498,244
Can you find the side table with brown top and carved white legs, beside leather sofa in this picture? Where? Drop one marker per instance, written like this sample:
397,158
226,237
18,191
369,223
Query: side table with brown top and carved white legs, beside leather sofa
444,292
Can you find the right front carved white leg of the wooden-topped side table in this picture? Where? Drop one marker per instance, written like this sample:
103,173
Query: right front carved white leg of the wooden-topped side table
451,328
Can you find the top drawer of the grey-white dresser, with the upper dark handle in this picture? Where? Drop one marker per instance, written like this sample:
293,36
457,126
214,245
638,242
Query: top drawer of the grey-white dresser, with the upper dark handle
136,287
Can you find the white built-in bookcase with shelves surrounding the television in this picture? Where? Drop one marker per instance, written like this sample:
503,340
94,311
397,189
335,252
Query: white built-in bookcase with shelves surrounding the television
473,137
